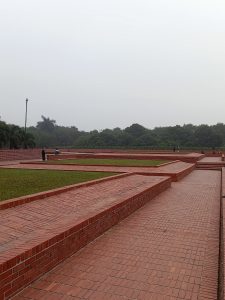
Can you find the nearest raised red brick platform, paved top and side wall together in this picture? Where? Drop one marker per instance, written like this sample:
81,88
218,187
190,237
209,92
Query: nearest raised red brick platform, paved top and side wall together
36,236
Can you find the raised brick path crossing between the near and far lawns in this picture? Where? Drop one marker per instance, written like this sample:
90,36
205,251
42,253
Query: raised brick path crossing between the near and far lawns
175,170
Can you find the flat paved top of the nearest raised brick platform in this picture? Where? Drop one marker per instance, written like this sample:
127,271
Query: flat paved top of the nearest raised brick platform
34,222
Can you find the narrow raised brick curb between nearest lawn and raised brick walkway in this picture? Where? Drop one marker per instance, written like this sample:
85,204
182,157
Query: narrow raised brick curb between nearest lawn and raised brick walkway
10,203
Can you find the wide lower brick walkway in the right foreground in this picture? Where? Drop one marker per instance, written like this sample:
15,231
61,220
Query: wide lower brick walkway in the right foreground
166,250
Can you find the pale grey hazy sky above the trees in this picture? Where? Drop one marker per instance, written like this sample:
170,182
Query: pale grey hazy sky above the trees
101,64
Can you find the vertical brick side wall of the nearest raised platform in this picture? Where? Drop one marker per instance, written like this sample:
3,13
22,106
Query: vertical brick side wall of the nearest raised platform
21,270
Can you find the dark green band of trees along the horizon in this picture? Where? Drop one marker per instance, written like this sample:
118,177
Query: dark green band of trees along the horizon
48,134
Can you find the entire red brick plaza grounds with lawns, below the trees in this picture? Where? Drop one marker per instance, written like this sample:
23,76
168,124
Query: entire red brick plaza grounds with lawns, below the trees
115,225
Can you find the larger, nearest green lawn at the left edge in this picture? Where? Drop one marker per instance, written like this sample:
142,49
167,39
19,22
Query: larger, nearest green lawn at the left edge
18,182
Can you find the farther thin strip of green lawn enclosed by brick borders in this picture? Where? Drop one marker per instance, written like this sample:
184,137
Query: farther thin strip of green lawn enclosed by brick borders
109,161
